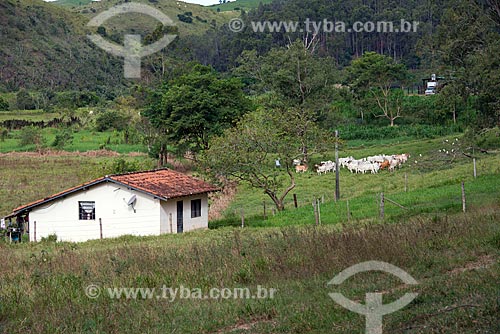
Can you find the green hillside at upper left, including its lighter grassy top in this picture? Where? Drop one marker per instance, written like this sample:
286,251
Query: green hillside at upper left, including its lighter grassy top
44,46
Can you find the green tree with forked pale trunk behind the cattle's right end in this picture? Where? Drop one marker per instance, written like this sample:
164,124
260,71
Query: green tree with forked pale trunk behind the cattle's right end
372,77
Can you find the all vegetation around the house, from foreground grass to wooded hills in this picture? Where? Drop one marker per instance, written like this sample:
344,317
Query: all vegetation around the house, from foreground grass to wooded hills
229,106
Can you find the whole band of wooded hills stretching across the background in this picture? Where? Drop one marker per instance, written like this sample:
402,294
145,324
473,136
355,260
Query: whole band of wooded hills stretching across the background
44,46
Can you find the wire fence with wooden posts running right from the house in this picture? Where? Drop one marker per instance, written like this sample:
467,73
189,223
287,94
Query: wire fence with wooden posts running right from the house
325,209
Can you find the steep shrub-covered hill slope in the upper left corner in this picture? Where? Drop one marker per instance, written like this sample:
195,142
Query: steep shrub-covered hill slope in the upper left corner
43,46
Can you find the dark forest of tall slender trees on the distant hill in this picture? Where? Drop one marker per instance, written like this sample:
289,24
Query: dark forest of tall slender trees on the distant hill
406,47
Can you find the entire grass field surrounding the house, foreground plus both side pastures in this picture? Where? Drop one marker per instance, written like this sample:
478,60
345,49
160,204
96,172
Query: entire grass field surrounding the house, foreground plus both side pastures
453,256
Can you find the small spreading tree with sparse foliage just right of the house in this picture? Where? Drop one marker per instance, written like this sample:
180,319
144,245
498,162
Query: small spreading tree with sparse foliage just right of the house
248,152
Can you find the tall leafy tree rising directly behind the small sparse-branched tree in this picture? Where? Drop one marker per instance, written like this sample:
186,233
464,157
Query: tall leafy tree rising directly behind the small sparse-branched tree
292,77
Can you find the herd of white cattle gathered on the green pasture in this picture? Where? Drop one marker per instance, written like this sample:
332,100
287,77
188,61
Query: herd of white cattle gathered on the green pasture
370,164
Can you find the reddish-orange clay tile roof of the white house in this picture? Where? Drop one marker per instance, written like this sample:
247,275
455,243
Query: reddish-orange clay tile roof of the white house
161,183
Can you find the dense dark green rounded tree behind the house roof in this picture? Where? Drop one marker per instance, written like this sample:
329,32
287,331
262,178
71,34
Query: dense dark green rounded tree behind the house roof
196,106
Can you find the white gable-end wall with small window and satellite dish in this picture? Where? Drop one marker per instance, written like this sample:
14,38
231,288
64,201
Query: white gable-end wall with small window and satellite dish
61,217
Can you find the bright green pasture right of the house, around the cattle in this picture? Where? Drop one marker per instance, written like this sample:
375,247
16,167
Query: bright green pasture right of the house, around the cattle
433,184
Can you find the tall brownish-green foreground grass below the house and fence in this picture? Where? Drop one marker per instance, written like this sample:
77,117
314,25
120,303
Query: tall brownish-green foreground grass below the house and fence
454,260
